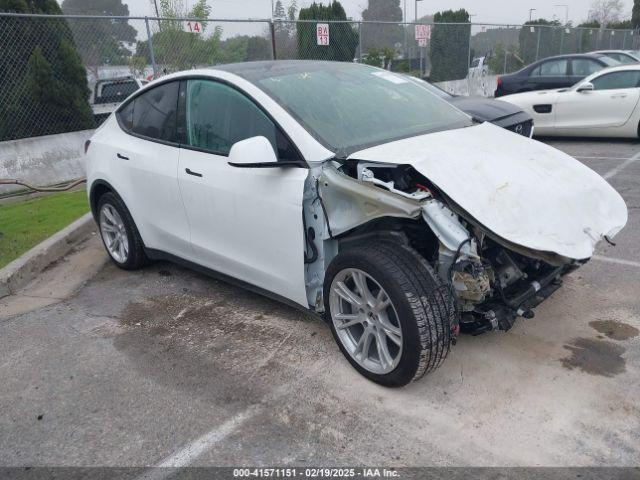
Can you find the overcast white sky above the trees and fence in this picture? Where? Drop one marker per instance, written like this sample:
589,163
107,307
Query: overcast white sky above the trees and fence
488,11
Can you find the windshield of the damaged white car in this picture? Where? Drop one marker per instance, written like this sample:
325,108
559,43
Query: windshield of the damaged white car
349,106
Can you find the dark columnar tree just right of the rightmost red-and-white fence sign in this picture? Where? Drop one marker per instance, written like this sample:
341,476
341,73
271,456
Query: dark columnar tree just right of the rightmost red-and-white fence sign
449,46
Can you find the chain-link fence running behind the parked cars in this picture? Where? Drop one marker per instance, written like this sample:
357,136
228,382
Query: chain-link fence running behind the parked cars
66,73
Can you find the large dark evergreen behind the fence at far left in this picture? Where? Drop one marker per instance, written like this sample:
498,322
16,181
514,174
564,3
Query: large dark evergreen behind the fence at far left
44,88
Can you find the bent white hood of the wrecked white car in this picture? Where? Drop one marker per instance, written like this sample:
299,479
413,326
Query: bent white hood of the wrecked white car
522,190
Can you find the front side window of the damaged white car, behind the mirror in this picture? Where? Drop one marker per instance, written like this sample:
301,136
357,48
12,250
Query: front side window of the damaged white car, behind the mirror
219,116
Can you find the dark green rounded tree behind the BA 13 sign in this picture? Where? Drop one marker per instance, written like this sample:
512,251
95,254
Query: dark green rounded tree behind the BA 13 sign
343,39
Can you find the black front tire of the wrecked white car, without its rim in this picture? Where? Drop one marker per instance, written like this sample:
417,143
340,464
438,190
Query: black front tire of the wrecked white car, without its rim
425,306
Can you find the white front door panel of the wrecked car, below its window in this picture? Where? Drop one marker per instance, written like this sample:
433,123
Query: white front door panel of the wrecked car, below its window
246,223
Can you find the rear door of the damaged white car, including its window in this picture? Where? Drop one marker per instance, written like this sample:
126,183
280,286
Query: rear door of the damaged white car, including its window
147,153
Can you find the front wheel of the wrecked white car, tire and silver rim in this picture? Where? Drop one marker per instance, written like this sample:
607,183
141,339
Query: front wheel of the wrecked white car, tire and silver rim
389,313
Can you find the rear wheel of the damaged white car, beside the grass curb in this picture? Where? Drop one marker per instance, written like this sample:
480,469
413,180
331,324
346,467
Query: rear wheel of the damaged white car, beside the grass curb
119,233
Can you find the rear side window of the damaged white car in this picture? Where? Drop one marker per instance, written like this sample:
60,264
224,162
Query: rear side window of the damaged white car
153,114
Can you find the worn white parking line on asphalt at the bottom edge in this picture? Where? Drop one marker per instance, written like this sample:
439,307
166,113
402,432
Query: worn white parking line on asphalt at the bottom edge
197,447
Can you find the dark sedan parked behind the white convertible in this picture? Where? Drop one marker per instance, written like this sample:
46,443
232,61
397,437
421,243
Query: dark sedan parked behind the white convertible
554,72
